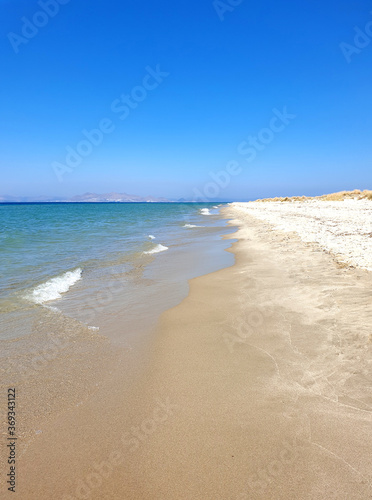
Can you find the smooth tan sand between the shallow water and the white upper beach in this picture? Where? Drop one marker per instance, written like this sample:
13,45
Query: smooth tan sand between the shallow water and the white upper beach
256,386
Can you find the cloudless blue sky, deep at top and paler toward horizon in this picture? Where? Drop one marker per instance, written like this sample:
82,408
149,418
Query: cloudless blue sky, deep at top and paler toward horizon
225,78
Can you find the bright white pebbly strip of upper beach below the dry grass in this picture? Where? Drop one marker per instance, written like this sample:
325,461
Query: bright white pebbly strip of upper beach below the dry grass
343,228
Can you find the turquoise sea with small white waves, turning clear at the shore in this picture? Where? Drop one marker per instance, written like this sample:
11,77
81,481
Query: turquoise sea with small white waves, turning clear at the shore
112,267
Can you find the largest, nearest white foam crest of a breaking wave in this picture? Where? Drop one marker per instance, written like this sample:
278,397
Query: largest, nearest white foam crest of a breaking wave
53,288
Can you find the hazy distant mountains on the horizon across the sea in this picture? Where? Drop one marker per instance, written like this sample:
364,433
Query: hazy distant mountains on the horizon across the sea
84,198
